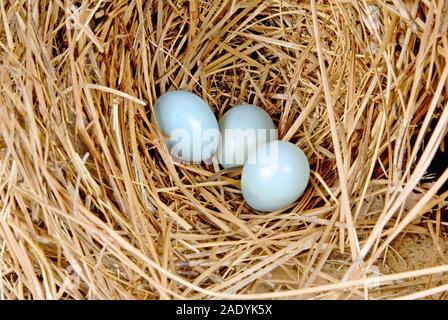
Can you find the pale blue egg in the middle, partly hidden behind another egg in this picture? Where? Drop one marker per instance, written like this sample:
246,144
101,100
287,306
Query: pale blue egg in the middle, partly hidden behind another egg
243,128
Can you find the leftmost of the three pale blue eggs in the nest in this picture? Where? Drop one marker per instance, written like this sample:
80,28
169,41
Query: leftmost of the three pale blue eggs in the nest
190,125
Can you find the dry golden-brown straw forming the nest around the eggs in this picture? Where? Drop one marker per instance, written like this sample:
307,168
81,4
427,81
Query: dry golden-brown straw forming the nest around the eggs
92,206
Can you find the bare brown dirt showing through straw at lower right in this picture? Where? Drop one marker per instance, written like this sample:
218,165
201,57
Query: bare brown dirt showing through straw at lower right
407,253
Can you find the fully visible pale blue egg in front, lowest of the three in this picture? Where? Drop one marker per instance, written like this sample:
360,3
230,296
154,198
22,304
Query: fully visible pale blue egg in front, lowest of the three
274,176
